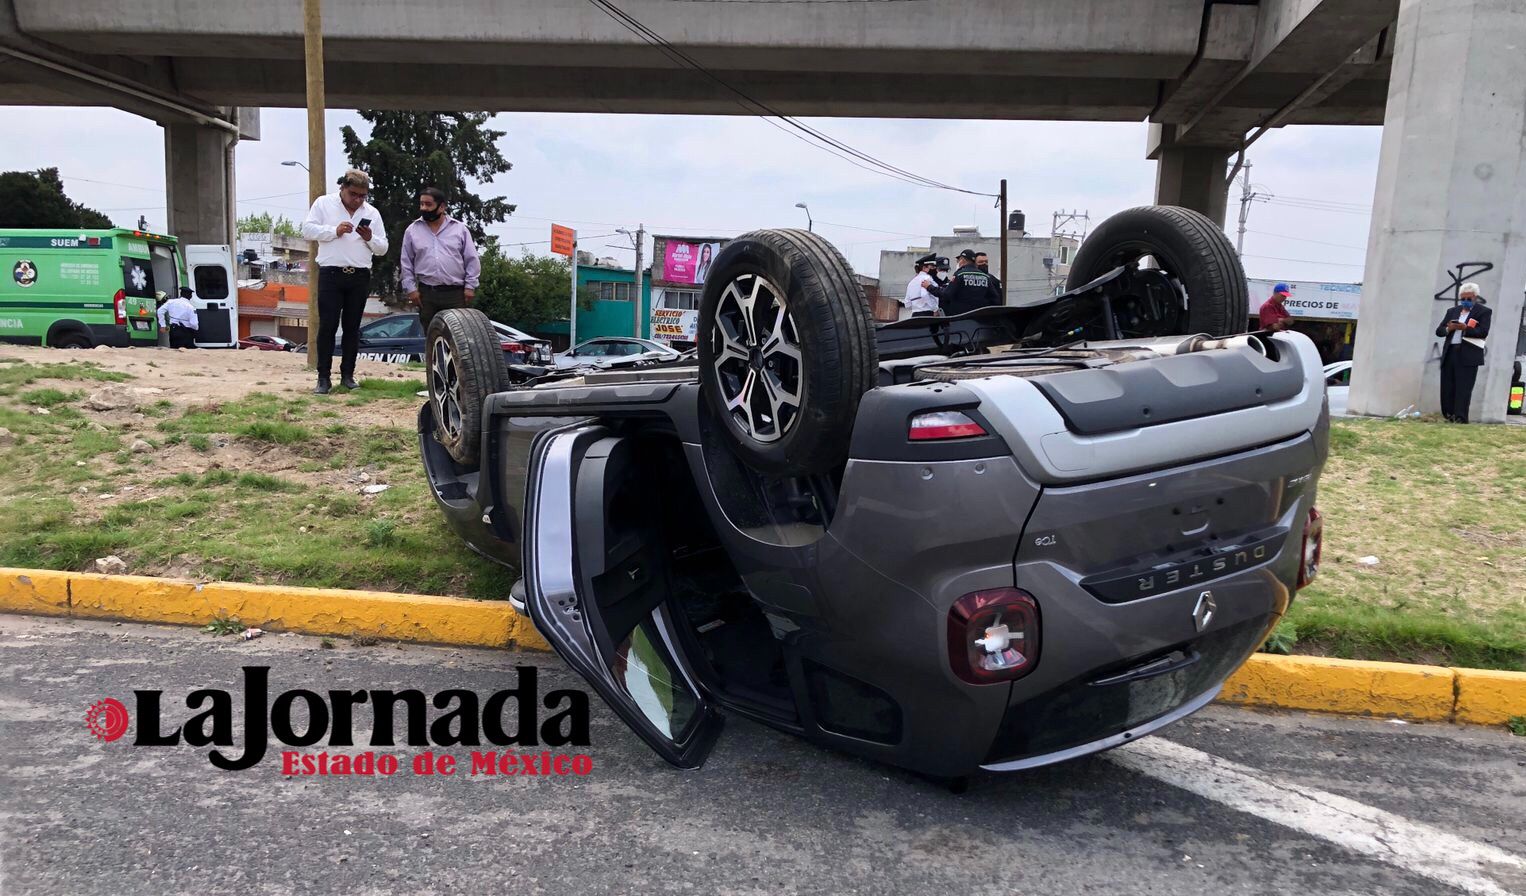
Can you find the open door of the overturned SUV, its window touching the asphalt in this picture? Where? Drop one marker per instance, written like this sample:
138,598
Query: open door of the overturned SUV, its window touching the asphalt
597,587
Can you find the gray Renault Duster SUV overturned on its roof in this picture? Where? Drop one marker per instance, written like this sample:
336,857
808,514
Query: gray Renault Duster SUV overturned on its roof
994,541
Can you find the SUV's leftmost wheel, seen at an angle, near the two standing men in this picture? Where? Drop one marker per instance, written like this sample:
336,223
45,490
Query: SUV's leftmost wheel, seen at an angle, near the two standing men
465,366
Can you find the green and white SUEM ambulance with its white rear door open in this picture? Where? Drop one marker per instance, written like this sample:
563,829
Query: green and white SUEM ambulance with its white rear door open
82,289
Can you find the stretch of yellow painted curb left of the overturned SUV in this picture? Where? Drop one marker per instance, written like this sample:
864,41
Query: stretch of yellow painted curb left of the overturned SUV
312,611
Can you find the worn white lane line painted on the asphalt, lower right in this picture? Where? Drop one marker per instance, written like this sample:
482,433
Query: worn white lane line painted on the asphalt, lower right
1420,849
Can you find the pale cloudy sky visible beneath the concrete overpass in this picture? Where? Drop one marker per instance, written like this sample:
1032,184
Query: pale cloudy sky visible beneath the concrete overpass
721,176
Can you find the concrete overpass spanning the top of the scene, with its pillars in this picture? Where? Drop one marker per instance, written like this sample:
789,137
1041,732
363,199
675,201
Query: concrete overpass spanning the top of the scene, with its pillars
1205,74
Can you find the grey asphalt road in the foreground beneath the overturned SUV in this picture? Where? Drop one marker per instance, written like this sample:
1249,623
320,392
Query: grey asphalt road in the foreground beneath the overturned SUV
1228,802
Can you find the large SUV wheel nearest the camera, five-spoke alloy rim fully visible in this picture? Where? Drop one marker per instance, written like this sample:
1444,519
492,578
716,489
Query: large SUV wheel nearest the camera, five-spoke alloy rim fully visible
787,350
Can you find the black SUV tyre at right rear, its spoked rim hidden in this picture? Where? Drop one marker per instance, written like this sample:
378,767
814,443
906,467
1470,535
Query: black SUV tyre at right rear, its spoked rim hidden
1186,247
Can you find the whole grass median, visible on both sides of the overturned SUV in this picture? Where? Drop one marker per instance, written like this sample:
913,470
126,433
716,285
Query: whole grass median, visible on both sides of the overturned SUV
274,489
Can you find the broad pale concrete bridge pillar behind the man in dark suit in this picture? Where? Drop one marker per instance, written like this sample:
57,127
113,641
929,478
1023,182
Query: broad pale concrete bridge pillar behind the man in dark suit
1452,189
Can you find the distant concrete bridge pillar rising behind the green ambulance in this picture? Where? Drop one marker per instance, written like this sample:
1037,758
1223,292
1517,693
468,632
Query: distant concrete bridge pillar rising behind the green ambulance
199,179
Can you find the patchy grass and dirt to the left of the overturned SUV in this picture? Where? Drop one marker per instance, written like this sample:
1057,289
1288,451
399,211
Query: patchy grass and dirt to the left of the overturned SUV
266,489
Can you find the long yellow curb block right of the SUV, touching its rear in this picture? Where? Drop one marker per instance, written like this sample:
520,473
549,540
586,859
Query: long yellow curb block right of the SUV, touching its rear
1344,686
